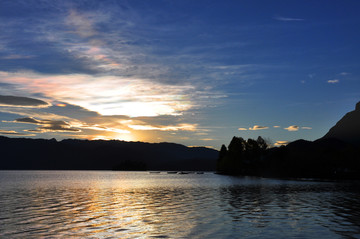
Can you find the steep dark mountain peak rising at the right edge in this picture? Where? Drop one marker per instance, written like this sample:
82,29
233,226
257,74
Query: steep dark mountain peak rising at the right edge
348,128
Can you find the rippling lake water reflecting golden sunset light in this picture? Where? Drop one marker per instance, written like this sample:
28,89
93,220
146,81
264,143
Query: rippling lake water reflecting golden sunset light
105,204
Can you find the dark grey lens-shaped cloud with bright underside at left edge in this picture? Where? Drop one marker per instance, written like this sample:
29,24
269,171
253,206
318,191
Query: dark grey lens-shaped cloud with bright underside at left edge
17,101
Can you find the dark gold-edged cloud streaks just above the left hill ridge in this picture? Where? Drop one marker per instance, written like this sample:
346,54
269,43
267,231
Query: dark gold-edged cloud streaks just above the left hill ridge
47,125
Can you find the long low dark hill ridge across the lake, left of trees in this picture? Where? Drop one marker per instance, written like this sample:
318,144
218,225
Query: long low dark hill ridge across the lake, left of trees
72,154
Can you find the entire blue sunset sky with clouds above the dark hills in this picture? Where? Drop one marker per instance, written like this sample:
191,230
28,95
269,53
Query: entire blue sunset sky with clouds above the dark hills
190,72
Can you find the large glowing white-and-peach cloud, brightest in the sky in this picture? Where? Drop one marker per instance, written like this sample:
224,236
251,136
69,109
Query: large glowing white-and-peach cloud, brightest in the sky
109,95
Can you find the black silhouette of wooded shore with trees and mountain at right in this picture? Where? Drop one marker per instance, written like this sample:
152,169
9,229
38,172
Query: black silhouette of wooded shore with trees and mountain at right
334,156
